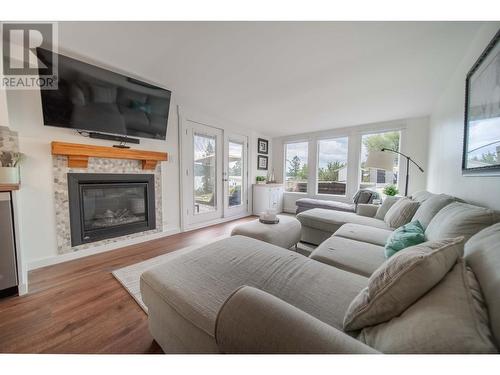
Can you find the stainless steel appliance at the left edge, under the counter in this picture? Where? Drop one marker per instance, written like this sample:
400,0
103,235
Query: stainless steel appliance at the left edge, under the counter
8,264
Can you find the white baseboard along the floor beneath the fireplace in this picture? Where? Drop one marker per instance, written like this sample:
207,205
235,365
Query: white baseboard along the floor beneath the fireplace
100,249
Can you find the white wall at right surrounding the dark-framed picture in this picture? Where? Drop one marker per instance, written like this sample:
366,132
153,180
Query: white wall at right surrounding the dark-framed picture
446,135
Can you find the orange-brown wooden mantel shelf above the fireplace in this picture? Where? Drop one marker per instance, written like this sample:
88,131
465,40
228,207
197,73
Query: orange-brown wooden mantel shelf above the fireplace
78,154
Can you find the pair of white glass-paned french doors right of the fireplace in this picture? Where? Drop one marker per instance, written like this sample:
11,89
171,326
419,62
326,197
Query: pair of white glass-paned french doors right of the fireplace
214,174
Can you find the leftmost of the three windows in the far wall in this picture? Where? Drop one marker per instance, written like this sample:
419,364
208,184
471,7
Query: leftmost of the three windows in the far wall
296,171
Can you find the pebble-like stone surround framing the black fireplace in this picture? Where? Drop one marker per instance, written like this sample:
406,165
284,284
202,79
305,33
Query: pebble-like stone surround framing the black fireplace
95,165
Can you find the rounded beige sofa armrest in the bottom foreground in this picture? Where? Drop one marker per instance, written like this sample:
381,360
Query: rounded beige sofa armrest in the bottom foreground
253,321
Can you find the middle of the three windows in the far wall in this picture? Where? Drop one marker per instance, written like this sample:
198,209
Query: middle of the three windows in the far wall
332,166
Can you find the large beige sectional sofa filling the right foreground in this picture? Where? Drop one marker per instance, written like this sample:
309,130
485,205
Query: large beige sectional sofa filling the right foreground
241,295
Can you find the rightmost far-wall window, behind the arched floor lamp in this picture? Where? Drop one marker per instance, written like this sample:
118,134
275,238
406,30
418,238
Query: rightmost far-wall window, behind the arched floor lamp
377,179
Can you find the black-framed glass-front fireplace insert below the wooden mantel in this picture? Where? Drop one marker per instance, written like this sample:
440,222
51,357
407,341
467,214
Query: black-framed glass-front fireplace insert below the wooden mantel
104,206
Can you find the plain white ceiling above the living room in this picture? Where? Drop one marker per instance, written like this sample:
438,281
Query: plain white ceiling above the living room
282,78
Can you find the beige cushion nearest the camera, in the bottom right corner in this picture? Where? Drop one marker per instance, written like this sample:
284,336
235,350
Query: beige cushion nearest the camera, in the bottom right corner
445,320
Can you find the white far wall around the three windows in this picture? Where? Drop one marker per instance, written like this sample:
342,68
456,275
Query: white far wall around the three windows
414,134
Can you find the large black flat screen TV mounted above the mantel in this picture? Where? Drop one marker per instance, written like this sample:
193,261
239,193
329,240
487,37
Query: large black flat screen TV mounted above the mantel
94,99
